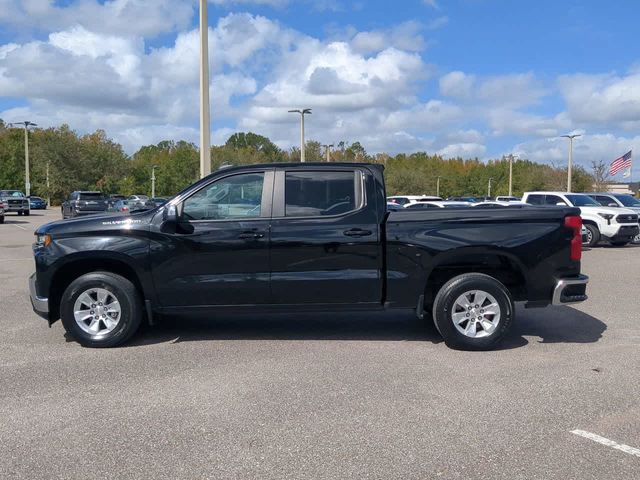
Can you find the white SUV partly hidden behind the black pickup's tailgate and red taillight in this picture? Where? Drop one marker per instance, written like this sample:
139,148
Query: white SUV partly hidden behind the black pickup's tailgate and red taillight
617,225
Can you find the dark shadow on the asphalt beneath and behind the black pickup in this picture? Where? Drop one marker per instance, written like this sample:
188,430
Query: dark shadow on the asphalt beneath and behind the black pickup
551,325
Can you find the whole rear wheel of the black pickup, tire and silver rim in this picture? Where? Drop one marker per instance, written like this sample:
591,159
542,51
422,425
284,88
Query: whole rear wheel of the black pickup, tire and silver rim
473,312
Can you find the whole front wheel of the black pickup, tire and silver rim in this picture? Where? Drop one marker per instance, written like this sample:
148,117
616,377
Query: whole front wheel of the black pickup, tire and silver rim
101,309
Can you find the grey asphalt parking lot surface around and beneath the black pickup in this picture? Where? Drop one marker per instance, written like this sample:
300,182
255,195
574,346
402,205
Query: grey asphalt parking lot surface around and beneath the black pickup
367,396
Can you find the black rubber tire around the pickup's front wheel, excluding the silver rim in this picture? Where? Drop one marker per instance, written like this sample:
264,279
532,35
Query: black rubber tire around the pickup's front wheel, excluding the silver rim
128,297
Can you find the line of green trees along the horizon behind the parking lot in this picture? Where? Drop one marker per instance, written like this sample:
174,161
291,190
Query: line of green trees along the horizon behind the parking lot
95,162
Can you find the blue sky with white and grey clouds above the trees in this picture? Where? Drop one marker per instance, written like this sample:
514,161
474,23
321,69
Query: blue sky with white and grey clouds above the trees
462,77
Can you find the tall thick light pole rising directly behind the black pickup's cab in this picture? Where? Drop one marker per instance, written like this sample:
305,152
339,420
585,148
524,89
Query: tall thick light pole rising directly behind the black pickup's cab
205,113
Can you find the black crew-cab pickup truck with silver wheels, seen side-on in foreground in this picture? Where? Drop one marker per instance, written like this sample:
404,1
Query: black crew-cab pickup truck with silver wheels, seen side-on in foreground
300,237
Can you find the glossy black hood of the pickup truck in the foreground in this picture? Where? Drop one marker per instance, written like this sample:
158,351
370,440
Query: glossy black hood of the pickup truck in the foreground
97,223
